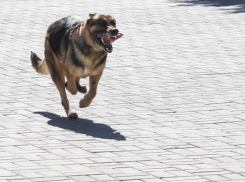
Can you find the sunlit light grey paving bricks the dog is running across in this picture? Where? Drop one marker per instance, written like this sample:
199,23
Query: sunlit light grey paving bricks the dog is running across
170,105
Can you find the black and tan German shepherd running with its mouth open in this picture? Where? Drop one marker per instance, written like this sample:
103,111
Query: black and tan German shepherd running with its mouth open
76,49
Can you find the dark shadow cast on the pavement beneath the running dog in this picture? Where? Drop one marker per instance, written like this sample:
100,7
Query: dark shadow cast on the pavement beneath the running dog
83,126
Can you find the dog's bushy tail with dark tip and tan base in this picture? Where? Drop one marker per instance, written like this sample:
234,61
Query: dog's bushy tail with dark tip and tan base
39,65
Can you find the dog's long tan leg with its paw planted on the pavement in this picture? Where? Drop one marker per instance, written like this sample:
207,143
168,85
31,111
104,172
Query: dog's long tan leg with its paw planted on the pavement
59,80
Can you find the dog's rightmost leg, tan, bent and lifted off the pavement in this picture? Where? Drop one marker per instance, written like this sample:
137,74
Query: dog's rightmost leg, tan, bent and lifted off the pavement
93,83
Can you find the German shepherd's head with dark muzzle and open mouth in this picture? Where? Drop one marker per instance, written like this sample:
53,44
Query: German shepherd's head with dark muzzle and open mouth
102,32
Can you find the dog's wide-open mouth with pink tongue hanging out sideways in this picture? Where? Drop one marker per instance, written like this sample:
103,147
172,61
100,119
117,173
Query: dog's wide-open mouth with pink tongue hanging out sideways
107,41
